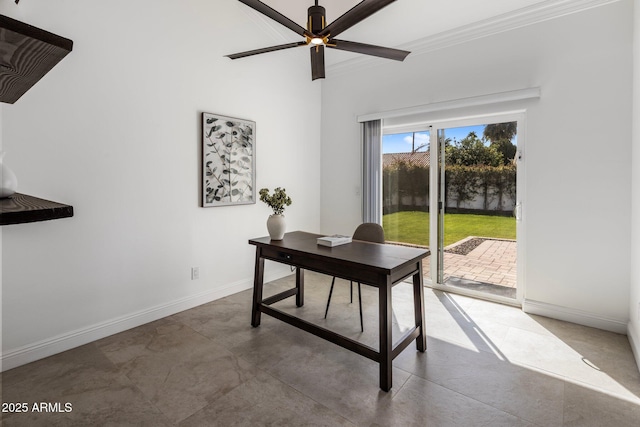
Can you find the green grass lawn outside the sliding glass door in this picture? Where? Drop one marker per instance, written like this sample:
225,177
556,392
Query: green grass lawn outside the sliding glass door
413,227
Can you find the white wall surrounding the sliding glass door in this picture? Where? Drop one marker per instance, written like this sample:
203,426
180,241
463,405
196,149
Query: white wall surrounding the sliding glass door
577,144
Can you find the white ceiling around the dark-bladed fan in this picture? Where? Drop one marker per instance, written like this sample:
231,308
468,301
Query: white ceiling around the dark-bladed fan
407,21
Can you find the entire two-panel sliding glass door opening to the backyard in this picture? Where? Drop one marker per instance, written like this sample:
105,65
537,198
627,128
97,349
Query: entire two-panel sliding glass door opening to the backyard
453,187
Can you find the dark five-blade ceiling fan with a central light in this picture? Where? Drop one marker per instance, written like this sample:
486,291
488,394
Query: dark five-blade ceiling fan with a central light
318,34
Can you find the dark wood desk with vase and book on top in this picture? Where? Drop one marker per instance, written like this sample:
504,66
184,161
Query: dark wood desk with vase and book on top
378,265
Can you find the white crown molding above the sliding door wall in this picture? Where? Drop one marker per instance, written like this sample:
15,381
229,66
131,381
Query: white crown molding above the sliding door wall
523,17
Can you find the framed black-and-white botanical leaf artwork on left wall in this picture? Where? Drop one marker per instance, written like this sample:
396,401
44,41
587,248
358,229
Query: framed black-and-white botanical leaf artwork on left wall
228,161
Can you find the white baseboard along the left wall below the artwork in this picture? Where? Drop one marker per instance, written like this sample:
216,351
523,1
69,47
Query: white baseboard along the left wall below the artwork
50,346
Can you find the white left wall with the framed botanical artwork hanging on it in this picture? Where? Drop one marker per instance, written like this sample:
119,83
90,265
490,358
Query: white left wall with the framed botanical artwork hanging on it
114,130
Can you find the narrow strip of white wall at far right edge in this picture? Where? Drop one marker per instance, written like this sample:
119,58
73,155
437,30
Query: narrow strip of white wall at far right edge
634,307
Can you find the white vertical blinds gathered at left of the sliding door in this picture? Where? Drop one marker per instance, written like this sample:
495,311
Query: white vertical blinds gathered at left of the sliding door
372,171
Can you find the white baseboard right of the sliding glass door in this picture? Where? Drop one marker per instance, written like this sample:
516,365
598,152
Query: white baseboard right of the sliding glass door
575,316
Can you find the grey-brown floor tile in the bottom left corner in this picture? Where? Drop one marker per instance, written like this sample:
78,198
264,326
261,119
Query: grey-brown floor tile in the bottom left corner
85,379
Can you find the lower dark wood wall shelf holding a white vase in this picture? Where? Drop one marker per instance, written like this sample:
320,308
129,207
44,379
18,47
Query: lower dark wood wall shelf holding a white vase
20,208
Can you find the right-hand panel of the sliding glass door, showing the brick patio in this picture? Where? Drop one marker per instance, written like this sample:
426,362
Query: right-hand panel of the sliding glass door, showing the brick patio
477,229
